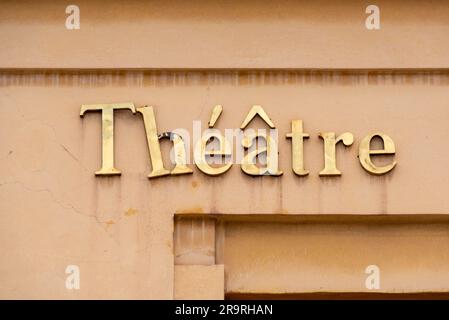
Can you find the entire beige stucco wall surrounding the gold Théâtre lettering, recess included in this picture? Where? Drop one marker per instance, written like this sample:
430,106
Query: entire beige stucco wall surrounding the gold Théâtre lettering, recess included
54,212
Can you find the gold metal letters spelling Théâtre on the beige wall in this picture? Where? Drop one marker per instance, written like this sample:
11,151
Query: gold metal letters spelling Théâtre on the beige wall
205,157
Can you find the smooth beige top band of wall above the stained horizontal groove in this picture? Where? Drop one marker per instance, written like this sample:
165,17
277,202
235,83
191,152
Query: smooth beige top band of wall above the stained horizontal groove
225,34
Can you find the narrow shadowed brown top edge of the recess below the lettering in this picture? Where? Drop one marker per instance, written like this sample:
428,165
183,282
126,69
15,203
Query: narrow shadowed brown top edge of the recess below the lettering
321,218
